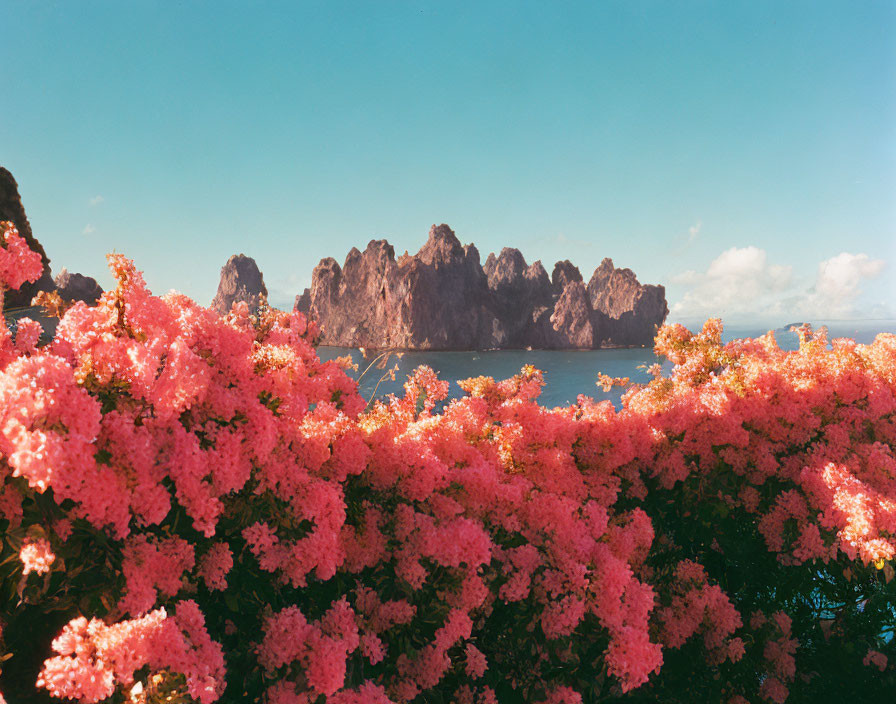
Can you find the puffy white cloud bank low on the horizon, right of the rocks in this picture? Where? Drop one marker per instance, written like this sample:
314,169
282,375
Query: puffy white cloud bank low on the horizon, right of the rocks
742,283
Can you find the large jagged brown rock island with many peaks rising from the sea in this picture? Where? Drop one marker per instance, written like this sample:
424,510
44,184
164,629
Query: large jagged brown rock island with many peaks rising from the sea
442,298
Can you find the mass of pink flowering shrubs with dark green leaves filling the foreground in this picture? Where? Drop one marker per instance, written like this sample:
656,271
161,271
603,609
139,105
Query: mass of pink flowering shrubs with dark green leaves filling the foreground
196,508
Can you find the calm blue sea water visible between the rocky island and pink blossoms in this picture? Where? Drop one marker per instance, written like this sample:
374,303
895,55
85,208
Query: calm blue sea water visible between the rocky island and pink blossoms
567,373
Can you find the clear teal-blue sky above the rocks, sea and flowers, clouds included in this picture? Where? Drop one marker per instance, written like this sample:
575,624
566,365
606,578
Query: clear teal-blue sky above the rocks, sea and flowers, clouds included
741,153
